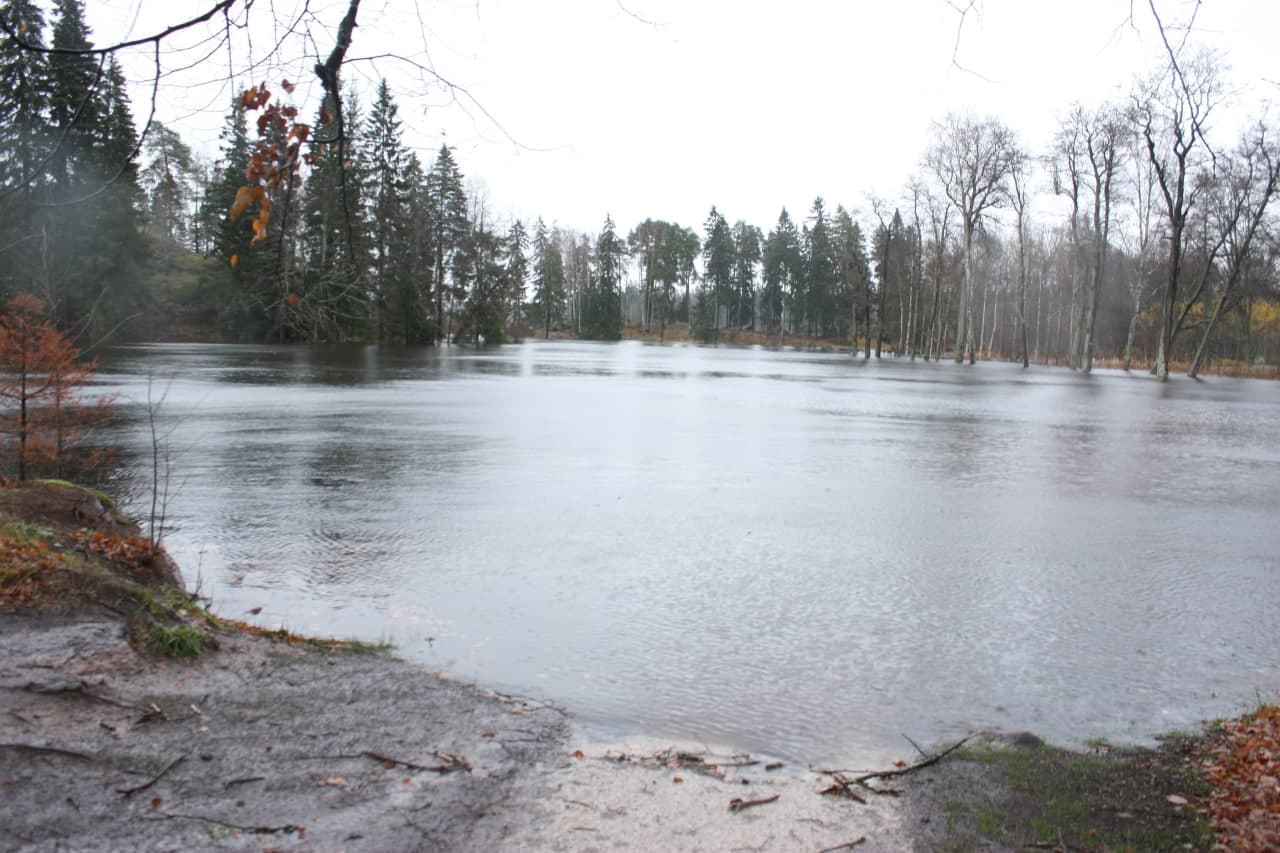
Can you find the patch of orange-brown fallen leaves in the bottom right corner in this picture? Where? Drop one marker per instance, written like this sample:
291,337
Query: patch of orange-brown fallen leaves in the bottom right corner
1244,767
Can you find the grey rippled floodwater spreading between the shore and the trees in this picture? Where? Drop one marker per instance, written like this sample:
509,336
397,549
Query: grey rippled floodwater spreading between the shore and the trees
785,553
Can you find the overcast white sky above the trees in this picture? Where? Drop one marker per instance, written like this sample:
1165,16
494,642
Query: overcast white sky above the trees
665,108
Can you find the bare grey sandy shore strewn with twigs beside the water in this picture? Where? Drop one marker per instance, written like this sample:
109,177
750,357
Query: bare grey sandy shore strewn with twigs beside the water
264,746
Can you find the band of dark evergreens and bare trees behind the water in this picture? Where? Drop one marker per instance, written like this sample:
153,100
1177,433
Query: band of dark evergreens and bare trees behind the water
1168,252
